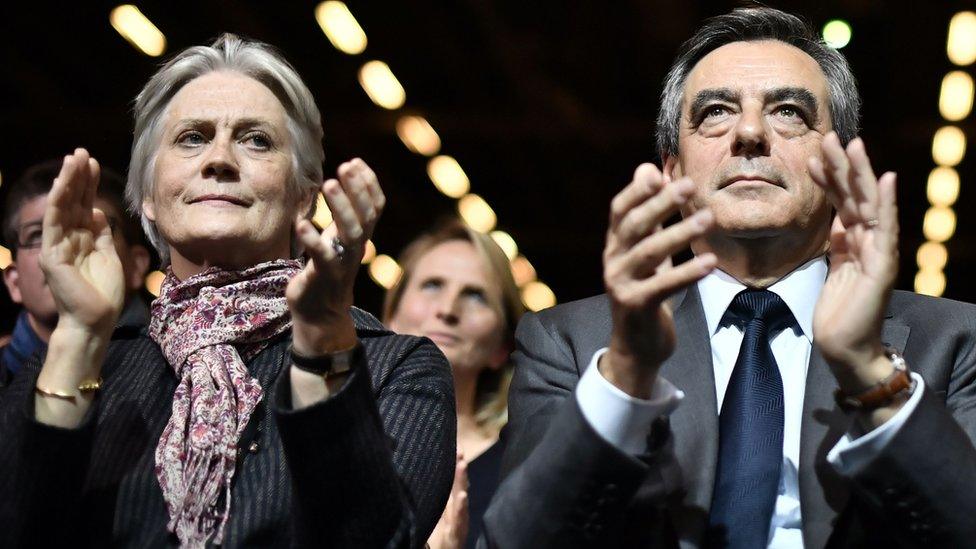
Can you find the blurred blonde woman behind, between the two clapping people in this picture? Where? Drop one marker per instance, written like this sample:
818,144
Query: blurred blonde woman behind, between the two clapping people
457,289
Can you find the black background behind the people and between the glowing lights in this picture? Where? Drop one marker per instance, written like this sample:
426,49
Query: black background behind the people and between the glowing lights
548,105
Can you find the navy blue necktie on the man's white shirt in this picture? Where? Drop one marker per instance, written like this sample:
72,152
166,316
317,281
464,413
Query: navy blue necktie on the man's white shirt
750,427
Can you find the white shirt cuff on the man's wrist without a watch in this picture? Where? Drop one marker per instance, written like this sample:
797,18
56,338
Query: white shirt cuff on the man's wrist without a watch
620,419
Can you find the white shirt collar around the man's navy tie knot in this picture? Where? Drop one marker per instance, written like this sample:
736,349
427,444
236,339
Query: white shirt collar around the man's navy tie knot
799,289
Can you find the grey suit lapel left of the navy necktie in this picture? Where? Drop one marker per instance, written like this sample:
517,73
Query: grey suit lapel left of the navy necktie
694,424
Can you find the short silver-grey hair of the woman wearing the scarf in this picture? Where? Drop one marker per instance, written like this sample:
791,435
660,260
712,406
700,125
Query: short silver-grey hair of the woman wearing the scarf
257,60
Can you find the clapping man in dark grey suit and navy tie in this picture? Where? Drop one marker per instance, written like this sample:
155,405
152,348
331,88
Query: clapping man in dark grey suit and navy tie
756,395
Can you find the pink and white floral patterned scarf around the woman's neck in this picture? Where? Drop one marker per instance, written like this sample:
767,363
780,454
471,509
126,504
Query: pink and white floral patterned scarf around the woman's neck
208,326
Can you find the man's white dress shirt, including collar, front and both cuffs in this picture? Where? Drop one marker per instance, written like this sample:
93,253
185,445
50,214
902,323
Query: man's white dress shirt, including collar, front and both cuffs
624,421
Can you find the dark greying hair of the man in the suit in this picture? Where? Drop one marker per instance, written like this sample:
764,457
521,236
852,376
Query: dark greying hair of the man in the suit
752,24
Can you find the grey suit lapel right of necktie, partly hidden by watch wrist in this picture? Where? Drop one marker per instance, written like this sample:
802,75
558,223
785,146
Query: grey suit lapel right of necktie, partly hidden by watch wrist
823,492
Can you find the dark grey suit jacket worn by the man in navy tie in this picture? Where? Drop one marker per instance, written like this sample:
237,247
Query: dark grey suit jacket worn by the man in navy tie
567,487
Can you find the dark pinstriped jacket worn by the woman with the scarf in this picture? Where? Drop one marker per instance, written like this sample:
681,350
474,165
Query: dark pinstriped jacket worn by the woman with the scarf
369,467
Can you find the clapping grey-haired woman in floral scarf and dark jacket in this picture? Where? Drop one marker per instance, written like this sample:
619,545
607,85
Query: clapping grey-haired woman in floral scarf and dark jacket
260,407
